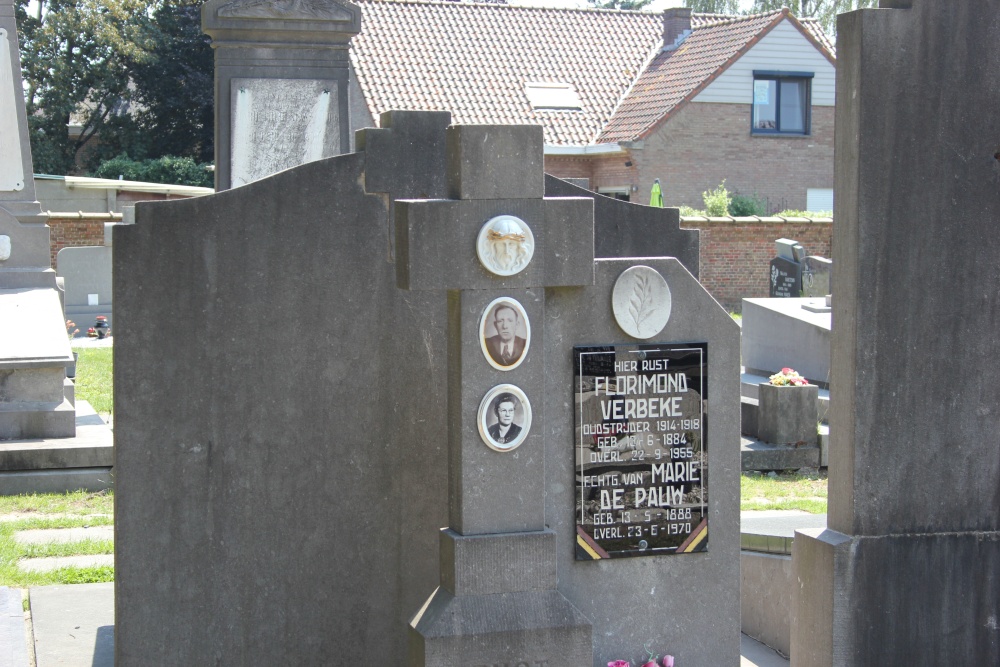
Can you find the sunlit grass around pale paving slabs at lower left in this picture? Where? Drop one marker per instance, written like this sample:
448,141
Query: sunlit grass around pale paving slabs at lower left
70,510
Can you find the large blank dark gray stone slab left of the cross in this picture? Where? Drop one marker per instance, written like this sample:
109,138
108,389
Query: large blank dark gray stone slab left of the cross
280,419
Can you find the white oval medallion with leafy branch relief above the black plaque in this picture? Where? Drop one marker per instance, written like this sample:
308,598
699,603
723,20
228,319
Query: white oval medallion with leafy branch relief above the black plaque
641,302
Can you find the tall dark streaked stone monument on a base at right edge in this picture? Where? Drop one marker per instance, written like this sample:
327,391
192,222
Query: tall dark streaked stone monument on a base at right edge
909,570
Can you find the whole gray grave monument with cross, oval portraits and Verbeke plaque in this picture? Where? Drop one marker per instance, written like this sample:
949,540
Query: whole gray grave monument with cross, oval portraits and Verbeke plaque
400,409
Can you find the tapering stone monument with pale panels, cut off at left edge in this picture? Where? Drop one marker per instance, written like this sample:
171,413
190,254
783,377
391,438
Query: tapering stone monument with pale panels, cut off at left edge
34,350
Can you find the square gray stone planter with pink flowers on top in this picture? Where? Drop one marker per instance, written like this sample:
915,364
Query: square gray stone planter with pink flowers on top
787,413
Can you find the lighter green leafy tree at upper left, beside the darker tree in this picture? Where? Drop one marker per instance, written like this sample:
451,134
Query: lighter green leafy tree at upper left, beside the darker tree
74,60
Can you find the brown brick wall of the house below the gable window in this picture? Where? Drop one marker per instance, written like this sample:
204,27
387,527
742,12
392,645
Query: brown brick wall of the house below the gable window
703,143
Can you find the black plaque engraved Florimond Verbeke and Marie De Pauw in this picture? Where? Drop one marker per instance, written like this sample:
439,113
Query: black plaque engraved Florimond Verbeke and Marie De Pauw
640,449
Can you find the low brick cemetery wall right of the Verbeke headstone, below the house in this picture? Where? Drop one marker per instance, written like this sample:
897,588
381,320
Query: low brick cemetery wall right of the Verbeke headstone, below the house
736,254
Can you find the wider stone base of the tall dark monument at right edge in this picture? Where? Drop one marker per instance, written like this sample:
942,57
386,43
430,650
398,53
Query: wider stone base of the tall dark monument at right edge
880,615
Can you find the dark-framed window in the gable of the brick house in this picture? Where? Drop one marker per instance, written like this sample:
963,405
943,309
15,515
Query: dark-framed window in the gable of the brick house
781,103
